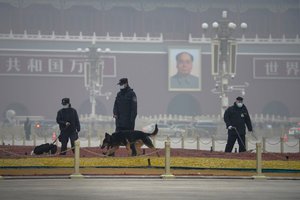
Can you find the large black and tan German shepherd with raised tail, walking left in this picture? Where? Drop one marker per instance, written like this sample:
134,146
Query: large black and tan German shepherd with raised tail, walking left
126,138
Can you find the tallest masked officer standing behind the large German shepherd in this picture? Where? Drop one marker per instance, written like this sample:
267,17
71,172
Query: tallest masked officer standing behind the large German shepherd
125,109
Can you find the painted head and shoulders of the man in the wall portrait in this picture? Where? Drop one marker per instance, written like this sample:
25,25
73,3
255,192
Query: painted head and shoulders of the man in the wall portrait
183,79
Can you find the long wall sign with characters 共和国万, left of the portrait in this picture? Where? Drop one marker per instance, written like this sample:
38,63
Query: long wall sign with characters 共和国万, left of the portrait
49,65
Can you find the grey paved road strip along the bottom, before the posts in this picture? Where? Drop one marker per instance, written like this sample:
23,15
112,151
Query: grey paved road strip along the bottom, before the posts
149,189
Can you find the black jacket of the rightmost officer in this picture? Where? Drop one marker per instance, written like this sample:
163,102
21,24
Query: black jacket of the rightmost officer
237,117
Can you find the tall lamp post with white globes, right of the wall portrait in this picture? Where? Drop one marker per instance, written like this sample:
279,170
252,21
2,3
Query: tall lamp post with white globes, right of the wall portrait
223,49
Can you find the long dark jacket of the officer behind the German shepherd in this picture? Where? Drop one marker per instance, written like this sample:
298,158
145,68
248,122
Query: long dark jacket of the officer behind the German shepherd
125,108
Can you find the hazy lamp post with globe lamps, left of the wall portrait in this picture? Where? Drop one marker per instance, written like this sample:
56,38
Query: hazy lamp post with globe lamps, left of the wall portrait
93,73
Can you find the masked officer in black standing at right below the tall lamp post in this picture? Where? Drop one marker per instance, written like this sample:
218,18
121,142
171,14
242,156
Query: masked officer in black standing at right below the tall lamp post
236,117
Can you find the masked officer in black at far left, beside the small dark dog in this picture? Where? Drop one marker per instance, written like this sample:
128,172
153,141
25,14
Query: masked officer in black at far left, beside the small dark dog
69,125
